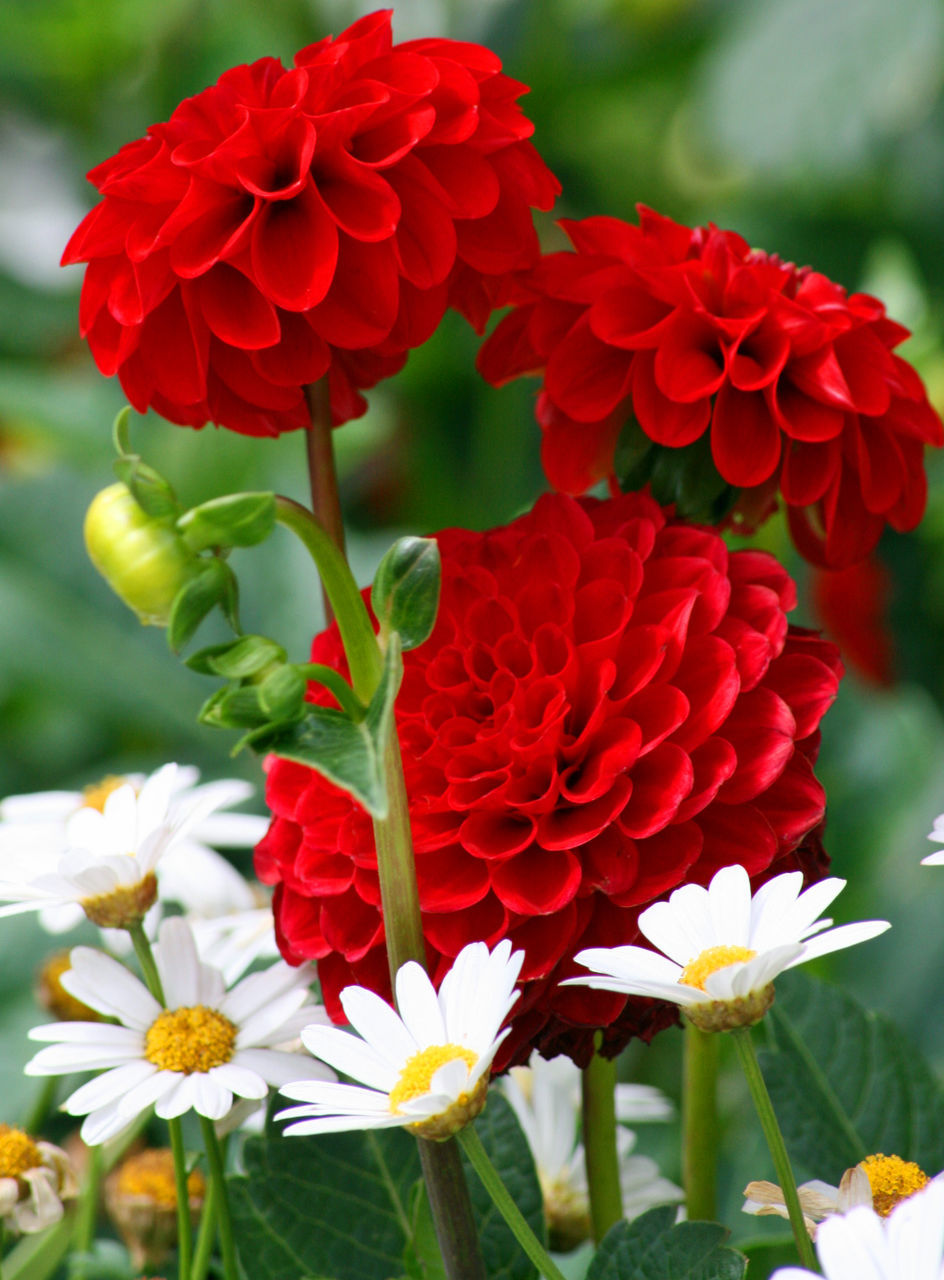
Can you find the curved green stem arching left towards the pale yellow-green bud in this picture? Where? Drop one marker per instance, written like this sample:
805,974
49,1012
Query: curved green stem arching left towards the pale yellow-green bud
354,621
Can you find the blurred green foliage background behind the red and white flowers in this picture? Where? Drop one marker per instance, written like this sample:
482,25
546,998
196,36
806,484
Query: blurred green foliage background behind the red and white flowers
814,129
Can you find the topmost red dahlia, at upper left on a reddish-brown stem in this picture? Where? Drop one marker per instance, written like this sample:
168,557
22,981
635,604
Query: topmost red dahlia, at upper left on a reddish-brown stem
292,223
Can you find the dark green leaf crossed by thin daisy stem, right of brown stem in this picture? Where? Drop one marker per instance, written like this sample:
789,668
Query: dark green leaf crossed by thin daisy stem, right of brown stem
508,1150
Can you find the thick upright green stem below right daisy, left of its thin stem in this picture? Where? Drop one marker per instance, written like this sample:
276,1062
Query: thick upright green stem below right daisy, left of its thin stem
700,1124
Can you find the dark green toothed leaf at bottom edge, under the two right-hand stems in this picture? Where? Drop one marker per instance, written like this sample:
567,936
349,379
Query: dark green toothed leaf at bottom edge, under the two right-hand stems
654,1249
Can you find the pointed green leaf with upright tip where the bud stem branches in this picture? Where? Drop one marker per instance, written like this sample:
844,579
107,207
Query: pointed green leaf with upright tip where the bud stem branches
350,753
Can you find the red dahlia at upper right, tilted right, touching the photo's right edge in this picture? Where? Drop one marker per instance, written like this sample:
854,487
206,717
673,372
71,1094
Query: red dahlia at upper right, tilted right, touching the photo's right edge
694,335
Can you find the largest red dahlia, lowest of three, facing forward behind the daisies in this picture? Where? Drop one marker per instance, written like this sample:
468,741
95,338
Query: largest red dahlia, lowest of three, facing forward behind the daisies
611,705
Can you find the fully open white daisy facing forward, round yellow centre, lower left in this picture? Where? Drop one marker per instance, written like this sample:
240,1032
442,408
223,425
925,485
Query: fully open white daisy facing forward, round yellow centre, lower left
205,1048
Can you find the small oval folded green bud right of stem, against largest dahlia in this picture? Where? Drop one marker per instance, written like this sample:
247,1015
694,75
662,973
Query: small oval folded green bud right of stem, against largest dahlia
405,597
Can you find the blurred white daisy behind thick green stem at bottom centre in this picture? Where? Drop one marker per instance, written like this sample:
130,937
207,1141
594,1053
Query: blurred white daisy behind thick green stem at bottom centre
546,1098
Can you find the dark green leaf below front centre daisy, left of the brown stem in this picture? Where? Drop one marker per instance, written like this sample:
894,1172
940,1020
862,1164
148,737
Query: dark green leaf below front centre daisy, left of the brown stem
338,1205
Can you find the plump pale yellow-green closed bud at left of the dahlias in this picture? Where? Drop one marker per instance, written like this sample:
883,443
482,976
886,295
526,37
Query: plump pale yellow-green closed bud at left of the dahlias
144,560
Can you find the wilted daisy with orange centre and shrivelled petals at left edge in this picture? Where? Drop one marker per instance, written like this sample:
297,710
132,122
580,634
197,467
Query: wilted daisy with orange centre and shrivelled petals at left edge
35,1180
